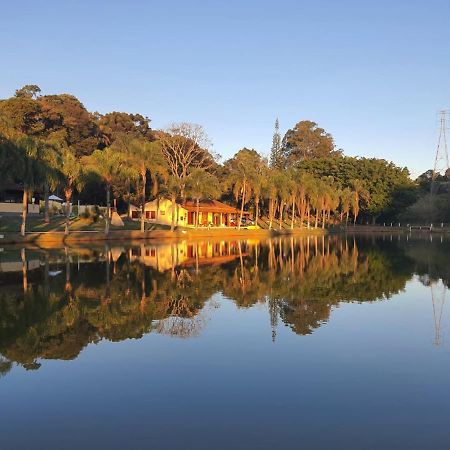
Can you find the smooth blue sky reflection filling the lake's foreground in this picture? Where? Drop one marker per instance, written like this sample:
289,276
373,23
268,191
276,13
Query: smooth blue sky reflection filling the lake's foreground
370,378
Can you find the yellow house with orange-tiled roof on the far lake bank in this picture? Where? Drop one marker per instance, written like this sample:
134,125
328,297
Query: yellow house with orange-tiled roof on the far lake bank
211,213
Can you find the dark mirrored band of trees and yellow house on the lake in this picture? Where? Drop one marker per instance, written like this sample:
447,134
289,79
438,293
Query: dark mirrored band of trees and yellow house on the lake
53,303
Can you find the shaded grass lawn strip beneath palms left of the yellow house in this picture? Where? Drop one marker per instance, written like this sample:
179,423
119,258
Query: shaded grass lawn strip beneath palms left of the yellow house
12,224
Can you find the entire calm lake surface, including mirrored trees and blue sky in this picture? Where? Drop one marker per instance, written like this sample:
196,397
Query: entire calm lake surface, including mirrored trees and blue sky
309,343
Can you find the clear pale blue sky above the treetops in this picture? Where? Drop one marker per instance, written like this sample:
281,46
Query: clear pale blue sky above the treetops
372,73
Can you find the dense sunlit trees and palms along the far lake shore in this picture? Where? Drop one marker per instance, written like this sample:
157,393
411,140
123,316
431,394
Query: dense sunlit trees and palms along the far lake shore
51,143
